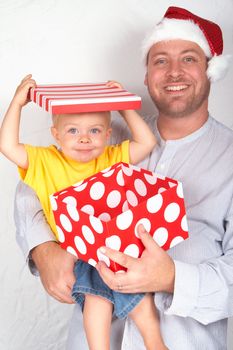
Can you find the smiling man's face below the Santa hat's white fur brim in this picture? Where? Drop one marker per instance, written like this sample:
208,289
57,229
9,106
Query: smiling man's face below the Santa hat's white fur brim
176,78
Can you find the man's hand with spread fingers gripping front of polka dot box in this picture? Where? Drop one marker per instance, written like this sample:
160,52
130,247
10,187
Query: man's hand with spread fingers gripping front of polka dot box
153,272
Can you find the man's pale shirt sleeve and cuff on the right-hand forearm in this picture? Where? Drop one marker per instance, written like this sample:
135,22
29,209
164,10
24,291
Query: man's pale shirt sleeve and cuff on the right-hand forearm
204,291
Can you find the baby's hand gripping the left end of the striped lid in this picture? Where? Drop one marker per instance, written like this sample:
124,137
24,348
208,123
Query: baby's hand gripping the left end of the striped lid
21,93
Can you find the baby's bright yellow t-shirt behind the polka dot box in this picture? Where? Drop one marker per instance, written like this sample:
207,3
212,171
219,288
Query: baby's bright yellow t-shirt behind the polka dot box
50,171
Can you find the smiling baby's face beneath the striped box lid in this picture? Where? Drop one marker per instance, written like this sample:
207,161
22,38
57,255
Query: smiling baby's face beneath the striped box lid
82,137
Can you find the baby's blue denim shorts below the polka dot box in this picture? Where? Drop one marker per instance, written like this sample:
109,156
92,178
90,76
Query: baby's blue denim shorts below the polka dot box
88,281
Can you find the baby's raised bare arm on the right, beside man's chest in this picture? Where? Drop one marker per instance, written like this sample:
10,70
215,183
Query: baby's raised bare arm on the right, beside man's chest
143,140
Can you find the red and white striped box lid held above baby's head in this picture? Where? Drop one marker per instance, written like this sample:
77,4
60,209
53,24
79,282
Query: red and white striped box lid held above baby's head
81,98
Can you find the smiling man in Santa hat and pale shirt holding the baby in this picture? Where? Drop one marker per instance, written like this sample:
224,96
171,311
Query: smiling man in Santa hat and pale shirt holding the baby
193,282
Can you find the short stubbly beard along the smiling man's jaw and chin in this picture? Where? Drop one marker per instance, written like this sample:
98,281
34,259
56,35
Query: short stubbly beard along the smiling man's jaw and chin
191,105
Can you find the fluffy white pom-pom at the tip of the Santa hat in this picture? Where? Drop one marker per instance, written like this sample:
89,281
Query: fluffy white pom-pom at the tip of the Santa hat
217,67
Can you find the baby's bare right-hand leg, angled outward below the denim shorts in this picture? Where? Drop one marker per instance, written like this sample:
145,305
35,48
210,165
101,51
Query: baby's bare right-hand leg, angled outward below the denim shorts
145,317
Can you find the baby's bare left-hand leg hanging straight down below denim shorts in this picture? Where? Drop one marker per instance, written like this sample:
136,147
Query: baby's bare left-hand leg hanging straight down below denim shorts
97,317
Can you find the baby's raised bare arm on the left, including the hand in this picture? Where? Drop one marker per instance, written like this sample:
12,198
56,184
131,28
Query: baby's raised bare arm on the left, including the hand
9,133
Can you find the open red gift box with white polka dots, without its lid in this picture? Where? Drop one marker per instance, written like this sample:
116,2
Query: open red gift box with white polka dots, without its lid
106,209
